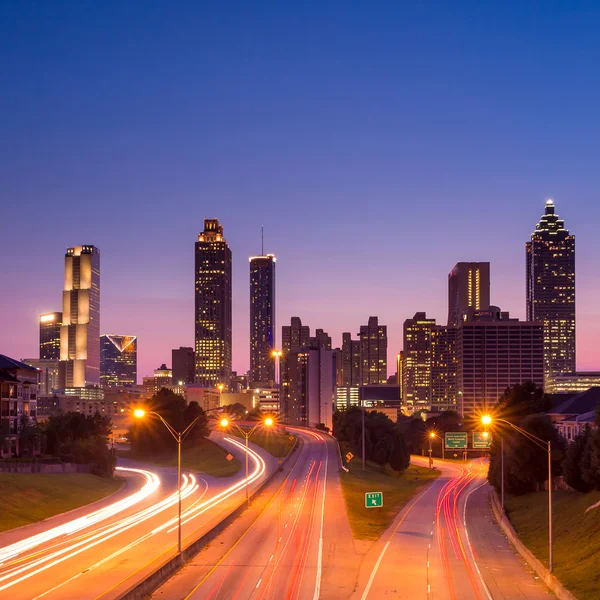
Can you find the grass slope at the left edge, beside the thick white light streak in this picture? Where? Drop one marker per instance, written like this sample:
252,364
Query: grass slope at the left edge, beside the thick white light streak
29,498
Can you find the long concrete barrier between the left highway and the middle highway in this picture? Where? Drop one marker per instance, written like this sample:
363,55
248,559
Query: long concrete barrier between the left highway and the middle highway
149,584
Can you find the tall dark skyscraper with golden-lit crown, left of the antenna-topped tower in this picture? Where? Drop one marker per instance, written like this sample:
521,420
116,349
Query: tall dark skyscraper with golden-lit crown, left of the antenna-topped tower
213,306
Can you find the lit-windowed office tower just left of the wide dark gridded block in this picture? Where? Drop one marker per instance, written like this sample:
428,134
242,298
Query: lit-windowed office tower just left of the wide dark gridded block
417,360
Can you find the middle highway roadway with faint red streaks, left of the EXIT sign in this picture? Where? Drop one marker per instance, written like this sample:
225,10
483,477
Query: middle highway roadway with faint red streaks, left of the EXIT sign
296,545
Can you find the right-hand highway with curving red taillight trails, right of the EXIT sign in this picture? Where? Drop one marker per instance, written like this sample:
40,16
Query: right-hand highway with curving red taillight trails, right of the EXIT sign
444,545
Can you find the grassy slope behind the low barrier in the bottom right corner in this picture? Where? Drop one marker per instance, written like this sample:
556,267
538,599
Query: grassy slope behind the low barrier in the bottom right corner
576,536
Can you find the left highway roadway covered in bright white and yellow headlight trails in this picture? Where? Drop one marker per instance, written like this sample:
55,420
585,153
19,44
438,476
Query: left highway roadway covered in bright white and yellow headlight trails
100,552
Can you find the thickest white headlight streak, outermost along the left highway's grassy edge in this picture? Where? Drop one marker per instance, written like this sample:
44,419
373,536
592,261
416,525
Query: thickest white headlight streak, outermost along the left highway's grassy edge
151,485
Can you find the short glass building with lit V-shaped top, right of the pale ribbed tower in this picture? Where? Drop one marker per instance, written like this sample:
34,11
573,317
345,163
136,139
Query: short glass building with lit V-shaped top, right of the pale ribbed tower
118,360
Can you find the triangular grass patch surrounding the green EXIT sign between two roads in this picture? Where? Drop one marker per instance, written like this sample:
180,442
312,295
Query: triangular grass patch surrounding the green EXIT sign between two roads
370,523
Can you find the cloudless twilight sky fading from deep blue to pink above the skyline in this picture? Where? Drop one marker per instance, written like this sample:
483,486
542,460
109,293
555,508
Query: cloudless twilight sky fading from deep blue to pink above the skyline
378,143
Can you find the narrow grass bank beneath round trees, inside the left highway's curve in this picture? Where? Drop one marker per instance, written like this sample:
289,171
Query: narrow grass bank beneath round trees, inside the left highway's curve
206,457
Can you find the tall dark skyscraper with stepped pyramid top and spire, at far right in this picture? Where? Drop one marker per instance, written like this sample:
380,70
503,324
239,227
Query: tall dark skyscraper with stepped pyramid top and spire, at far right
550,290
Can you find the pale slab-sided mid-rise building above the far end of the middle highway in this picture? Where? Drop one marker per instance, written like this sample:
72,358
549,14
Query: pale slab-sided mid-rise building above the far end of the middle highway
307,393
